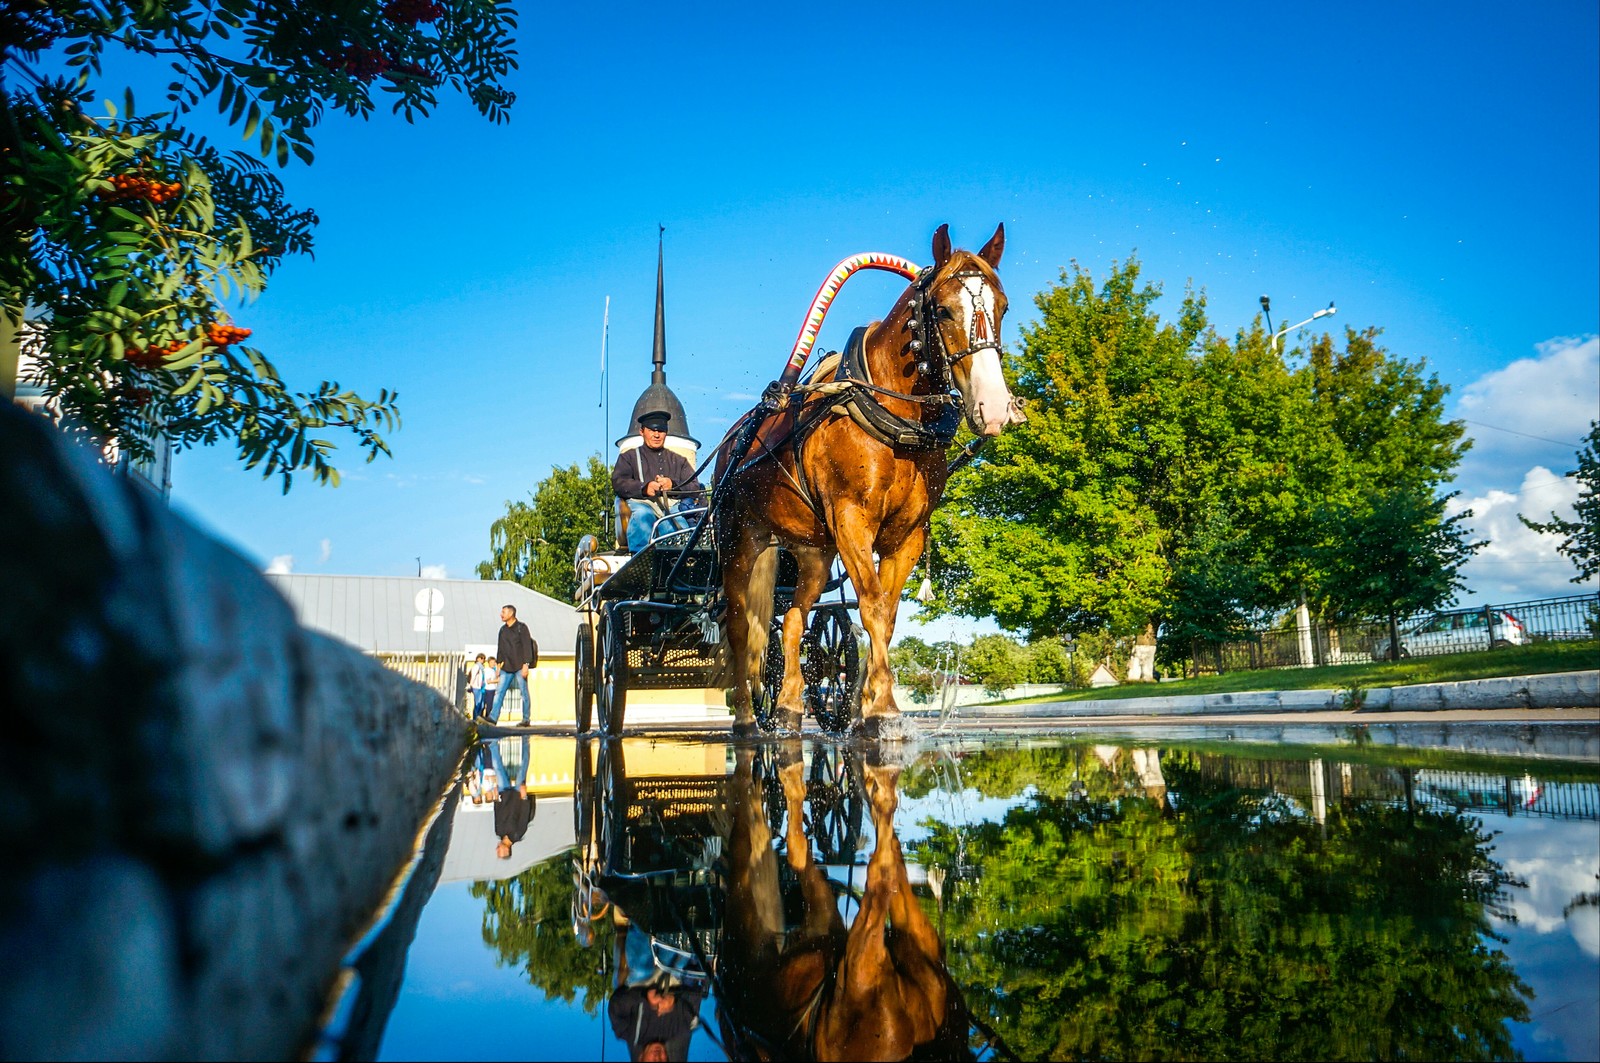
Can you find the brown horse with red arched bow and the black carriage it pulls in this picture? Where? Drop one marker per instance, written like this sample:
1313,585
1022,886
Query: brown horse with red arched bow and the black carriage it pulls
833,475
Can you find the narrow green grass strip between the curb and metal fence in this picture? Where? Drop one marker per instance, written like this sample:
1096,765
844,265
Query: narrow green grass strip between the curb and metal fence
1522,660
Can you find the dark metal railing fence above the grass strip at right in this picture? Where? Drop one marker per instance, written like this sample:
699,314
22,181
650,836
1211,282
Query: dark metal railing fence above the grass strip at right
1452,632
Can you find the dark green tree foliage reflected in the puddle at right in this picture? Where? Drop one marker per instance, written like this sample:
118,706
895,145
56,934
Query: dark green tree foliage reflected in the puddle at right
1095,921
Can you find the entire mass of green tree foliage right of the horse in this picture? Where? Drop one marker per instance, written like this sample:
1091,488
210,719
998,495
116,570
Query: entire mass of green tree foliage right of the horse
1169,478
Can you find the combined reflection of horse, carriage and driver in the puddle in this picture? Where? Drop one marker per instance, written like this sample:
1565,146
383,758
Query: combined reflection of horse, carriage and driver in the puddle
721,886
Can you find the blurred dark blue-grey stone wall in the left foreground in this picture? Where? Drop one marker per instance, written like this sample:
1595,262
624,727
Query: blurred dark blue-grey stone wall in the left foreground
201,803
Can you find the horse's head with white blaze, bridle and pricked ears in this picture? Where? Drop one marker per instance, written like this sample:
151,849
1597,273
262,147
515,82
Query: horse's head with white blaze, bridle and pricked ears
959,310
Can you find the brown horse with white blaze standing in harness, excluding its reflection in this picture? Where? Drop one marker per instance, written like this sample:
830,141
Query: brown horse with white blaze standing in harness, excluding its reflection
854,465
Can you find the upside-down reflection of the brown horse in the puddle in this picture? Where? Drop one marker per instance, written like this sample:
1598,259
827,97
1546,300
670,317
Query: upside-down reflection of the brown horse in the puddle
809,989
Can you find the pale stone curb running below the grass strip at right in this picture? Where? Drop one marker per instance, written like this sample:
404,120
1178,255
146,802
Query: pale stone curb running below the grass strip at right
1554,691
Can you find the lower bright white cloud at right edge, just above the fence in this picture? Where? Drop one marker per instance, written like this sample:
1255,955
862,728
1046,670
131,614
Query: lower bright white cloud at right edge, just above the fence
1521,563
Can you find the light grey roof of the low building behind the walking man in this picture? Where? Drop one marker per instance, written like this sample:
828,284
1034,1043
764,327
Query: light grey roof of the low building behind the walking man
391,614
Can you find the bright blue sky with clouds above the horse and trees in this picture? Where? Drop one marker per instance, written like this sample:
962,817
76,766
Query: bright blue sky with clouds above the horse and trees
1433,169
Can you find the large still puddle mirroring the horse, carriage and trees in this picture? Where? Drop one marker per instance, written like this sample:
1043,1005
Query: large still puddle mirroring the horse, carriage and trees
1110,897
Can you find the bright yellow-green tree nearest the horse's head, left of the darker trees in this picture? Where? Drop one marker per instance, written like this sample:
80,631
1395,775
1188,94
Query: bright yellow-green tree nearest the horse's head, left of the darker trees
1065,526
